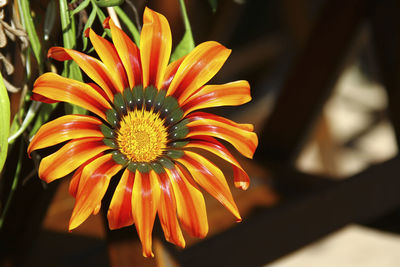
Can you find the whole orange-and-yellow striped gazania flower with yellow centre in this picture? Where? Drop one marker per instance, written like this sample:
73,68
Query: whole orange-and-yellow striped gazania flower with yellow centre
144,122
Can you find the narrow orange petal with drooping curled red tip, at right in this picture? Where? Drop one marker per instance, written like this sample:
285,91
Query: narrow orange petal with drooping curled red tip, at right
208,143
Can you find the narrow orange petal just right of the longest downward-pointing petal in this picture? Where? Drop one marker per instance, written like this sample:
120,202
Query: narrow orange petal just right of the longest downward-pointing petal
167,212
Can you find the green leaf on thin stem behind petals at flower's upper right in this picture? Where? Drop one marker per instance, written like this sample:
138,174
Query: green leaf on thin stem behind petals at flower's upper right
187,43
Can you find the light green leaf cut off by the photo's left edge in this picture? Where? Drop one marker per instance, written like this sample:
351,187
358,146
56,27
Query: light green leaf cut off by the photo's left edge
4,122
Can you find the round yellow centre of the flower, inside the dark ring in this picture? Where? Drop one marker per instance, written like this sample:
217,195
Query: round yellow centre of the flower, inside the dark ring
142,136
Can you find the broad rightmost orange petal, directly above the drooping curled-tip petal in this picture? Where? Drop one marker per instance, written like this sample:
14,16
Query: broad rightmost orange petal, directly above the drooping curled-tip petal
211,125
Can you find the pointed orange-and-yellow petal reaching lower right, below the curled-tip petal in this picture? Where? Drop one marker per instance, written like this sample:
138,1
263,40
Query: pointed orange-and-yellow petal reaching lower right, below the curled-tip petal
211,178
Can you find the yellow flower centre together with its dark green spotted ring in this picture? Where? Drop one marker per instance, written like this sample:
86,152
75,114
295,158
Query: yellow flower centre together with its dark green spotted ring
142,127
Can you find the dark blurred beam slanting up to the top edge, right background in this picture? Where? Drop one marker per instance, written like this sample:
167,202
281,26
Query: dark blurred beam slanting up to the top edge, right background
311,80
